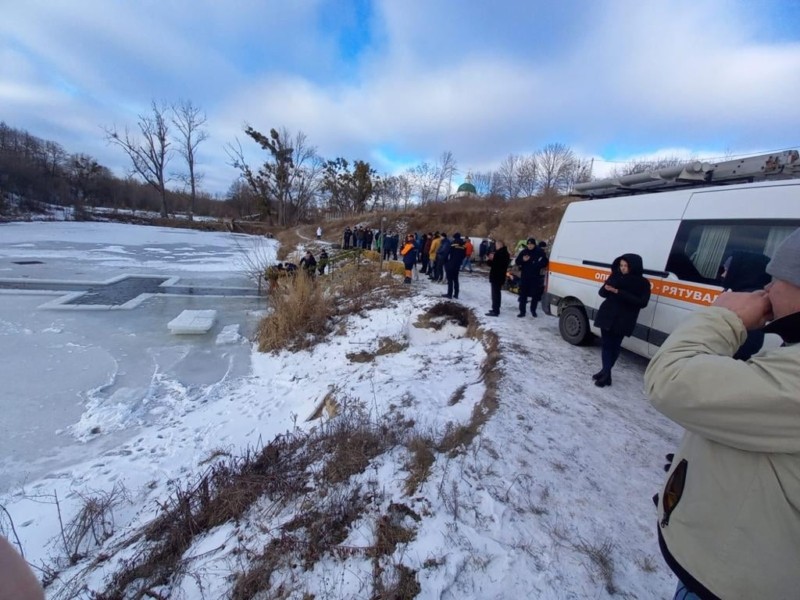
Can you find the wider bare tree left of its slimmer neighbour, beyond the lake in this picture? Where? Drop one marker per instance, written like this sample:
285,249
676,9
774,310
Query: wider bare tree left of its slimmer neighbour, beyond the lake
151,155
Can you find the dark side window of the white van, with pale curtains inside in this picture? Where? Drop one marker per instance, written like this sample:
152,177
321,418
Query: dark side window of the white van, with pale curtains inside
702,247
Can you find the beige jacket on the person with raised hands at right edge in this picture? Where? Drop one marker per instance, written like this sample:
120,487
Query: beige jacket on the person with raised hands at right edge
735,527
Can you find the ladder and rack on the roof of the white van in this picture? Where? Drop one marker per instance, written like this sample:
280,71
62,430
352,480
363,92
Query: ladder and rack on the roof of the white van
781,165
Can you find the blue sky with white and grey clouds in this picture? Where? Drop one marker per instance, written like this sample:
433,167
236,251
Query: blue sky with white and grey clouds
397,82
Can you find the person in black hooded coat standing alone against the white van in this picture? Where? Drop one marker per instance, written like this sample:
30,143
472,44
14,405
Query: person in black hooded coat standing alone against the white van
626,292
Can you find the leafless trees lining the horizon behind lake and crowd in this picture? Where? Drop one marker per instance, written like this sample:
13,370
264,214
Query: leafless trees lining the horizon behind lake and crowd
293,182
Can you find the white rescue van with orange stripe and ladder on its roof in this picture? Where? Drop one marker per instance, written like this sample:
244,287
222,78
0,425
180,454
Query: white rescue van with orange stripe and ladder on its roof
683,237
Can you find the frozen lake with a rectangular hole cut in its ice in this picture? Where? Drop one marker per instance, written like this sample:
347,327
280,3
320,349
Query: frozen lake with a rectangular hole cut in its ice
123,363
